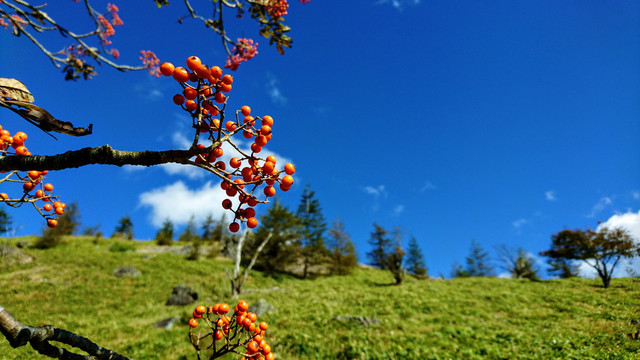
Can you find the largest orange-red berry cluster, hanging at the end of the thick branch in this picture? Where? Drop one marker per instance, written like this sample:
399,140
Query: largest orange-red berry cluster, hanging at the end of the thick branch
203,97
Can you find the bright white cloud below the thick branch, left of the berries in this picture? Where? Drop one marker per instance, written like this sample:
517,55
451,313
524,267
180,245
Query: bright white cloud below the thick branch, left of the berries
178,203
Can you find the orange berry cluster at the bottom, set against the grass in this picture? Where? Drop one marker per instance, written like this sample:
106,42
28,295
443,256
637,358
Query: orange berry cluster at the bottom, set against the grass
239,333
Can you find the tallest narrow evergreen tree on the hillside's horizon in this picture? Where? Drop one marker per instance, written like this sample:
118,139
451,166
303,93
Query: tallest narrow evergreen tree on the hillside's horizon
312,228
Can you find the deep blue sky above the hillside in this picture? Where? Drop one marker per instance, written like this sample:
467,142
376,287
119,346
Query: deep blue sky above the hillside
499,121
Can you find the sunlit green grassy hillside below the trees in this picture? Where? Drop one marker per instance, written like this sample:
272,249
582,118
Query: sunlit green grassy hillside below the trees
73,287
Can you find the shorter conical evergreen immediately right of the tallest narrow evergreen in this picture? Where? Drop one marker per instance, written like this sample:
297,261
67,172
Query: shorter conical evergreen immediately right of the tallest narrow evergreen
342,251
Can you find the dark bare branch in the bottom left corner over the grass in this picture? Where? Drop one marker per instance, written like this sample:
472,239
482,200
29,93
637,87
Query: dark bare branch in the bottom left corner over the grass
38,337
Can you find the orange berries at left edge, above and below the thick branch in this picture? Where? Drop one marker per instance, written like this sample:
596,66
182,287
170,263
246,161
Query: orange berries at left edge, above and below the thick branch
32,180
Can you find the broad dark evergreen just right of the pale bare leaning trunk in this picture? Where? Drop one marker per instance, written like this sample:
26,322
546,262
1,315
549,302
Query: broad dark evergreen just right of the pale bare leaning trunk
281,251
